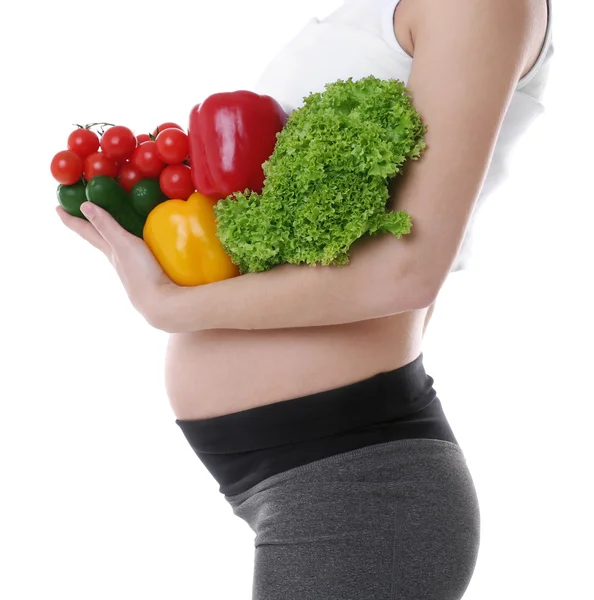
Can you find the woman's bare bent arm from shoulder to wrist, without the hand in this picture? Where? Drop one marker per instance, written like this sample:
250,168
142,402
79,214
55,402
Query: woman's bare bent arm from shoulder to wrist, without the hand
468,57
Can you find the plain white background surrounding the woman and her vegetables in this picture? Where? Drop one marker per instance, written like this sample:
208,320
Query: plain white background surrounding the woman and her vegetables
101,496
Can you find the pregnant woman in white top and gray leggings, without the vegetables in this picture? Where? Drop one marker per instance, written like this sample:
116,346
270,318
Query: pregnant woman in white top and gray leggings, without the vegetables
302,389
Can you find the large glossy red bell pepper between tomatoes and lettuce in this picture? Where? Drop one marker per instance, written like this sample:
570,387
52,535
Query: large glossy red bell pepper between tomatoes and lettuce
231,135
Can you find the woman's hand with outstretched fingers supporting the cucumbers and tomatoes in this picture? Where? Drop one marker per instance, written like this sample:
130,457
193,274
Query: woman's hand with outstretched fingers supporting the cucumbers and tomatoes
150,290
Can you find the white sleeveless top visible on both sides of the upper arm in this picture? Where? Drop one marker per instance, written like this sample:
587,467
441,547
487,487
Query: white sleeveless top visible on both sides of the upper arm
357,40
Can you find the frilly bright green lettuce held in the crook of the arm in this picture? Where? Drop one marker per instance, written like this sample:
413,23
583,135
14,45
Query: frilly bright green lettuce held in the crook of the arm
326,182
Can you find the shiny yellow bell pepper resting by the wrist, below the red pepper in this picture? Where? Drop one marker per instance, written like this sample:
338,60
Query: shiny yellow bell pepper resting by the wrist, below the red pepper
182,236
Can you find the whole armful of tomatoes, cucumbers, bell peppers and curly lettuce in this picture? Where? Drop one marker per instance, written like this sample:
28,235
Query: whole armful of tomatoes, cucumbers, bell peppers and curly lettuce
247,188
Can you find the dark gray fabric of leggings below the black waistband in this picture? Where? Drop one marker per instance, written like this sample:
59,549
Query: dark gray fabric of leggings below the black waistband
392,521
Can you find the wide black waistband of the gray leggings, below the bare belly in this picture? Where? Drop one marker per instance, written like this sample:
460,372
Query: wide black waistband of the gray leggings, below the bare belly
242,449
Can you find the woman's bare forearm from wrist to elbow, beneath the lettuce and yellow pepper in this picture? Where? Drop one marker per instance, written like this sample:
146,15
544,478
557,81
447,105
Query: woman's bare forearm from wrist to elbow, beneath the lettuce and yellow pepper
375,283
